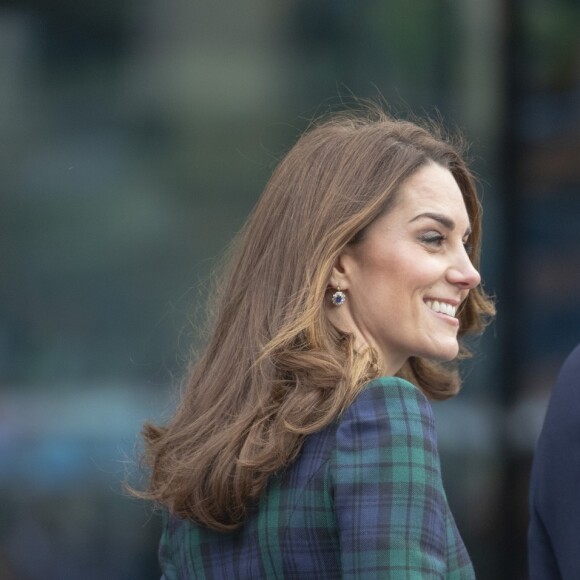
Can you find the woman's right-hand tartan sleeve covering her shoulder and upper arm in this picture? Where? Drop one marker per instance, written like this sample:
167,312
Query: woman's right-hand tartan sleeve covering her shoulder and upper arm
389,503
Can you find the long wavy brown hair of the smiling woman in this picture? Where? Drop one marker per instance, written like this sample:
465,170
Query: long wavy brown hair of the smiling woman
274,369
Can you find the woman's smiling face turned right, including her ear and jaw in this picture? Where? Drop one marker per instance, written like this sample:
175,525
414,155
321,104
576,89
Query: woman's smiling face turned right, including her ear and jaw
406,278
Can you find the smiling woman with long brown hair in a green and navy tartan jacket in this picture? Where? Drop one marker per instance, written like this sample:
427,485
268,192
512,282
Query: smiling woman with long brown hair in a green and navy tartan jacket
304,444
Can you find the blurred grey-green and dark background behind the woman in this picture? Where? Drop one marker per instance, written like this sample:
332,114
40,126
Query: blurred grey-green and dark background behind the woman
136,136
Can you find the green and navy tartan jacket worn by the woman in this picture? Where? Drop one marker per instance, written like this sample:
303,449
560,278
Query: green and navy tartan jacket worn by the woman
363,500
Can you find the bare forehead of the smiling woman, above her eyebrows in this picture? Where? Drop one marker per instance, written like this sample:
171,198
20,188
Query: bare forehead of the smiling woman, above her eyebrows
432,189
